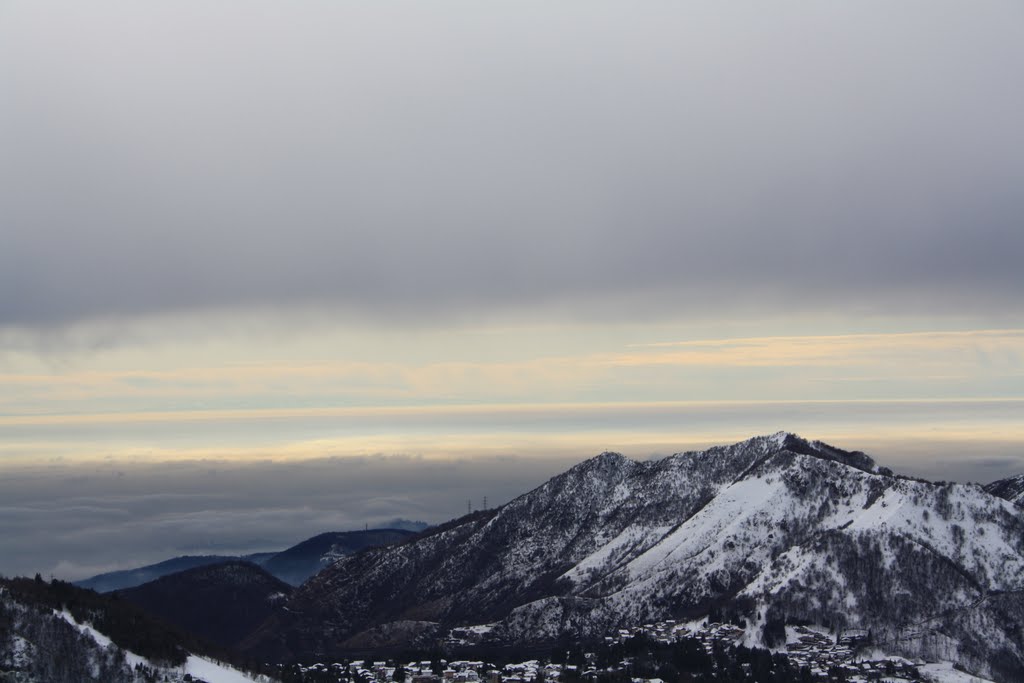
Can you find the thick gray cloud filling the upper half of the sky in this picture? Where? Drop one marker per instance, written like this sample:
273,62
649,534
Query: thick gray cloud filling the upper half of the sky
453,159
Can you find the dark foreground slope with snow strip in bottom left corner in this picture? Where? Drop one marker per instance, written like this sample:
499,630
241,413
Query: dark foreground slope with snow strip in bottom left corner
58,633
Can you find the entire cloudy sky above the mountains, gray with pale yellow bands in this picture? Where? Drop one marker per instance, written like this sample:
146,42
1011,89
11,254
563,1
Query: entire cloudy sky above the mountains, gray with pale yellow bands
270,270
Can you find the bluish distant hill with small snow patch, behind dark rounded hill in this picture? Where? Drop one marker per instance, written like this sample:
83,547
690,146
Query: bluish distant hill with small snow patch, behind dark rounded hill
306,560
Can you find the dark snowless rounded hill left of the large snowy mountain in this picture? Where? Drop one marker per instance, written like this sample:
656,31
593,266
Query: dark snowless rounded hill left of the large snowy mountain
221,604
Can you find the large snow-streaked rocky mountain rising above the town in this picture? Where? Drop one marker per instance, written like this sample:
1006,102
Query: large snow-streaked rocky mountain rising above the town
772,532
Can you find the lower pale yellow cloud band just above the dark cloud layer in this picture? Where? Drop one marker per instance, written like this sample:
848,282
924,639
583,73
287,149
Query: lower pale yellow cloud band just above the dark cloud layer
914,425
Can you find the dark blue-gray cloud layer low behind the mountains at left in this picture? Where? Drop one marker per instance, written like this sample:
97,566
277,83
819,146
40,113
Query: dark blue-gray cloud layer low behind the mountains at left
101,518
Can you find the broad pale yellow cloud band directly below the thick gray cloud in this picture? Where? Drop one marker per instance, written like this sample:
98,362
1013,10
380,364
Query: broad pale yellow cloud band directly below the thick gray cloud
873,366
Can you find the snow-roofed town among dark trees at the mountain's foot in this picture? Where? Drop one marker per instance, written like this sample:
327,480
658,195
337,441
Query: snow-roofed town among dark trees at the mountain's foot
650,654
